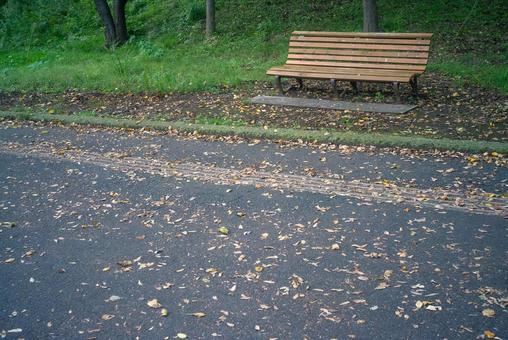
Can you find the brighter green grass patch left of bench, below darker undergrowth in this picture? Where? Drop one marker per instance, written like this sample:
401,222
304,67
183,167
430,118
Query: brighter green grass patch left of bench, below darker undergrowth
132,69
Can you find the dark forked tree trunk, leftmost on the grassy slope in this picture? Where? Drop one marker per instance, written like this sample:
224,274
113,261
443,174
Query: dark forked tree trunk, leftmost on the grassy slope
115,30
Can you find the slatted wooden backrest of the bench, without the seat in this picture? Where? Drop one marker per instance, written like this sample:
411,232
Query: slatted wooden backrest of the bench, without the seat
387,51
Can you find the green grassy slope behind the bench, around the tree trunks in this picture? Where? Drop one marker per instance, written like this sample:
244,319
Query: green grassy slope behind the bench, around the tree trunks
40,51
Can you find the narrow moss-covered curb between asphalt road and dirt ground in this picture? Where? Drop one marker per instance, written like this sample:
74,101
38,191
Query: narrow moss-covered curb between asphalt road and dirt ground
351,138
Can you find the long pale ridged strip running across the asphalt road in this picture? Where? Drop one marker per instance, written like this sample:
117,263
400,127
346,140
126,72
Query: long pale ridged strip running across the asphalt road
475,201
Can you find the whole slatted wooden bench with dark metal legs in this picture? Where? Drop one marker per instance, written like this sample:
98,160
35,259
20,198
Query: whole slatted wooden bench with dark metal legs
355,57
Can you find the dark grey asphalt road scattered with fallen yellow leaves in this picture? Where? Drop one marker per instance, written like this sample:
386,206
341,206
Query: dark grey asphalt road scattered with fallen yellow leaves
86,246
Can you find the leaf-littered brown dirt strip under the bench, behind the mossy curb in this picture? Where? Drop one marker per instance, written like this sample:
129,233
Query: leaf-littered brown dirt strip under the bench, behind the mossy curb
445,108
